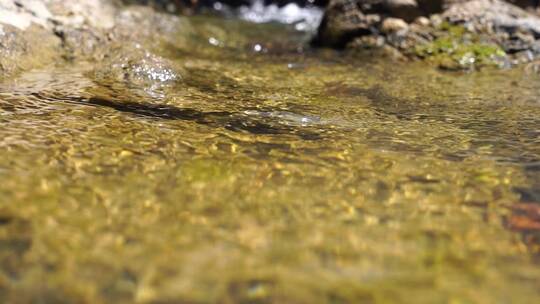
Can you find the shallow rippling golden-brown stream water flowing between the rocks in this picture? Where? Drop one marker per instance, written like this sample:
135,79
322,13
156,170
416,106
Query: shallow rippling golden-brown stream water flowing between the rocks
266,177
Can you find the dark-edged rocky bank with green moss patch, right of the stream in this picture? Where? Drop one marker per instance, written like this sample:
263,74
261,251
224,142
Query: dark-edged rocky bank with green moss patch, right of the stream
454,34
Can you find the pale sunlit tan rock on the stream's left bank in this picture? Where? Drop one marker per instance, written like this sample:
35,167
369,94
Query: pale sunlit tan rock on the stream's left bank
36,33
